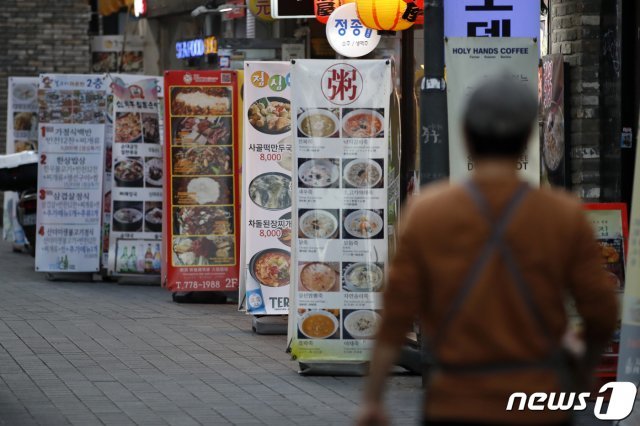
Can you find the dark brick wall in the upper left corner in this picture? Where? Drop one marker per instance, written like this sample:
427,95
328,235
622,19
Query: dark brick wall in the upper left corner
38,36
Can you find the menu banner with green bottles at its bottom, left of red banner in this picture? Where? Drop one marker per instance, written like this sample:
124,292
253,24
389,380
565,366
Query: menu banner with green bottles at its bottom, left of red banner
137,170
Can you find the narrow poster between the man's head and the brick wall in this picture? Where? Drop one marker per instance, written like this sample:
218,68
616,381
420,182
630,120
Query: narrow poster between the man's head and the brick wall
552,139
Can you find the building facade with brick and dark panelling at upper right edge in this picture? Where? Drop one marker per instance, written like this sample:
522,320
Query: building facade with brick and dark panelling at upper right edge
599,42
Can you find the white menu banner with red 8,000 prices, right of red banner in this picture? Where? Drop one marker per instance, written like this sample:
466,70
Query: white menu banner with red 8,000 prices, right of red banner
267,187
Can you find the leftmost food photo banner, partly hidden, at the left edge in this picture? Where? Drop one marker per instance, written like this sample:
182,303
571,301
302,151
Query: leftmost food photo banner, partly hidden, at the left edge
22,135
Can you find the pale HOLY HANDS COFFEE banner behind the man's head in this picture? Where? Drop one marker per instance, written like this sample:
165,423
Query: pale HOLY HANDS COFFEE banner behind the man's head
469,62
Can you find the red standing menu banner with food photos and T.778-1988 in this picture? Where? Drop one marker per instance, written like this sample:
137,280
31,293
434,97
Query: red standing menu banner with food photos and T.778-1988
201,224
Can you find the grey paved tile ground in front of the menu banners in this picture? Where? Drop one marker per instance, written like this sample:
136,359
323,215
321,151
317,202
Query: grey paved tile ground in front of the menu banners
96,353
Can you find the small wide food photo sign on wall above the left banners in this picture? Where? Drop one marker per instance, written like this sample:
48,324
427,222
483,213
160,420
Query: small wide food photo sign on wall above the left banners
111,54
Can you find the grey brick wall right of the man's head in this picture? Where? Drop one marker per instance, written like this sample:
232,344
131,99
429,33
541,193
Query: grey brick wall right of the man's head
593,96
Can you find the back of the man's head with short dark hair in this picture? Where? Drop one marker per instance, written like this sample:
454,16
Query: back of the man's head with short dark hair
499,118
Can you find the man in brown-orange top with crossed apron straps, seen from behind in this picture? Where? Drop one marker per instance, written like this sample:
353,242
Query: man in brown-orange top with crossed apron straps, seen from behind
486,265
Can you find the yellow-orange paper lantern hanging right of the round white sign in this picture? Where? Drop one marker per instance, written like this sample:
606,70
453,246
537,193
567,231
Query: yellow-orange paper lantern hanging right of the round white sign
386,15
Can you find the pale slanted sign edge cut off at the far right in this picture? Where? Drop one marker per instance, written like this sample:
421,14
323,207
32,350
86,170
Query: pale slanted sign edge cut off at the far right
629,361
